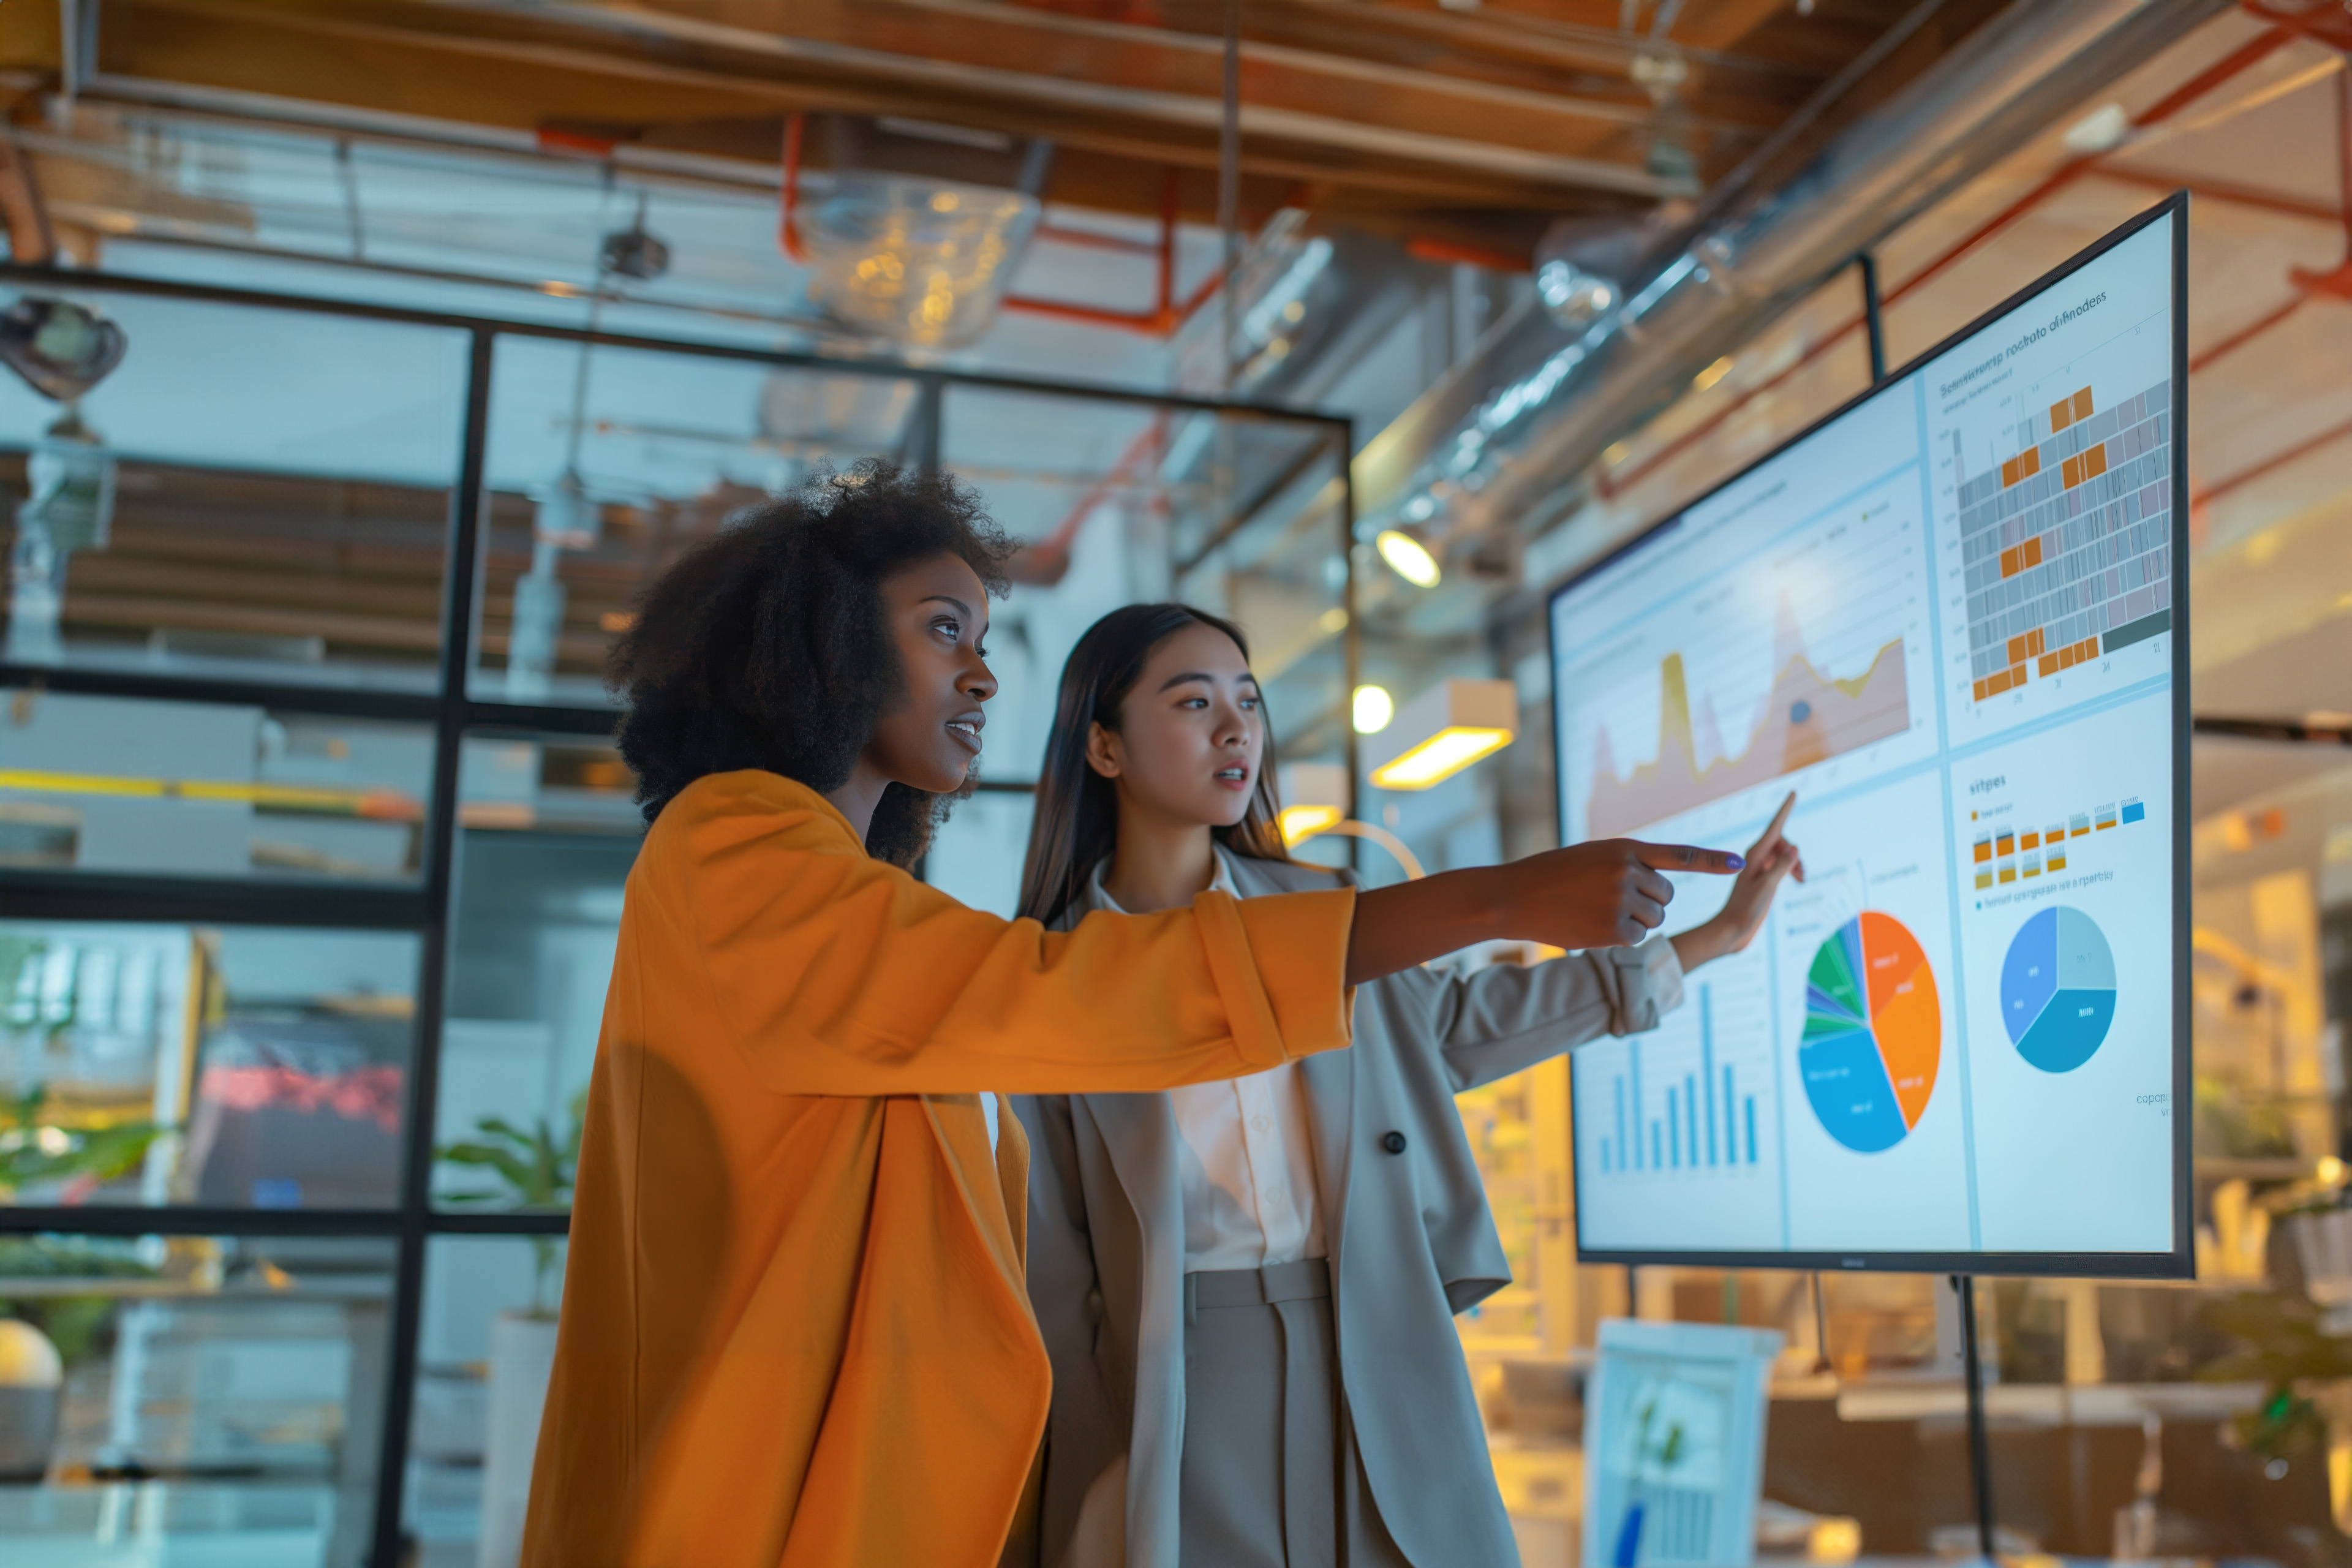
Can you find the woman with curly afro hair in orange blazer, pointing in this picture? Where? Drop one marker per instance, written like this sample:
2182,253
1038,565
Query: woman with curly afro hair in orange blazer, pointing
796,1329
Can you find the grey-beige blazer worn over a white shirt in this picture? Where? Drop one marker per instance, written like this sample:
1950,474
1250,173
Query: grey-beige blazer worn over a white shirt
1410,1242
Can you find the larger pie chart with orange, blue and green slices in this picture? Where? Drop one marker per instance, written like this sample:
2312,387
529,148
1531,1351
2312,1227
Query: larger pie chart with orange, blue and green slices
1873,1033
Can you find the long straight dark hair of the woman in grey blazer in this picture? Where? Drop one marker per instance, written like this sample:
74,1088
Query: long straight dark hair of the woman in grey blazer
1078,810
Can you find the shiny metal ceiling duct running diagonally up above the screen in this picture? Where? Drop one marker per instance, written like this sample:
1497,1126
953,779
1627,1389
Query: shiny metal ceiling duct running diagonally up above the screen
1492,443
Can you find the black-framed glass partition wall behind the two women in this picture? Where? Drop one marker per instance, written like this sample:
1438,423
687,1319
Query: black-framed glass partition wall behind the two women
314,843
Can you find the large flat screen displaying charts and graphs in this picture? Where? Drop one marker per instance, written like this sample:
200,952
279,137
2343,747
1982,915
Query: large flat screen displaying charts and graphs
1951,619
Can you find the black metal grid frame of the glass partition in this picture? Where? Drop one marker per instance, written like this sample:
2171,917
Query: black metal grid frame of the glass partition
453,713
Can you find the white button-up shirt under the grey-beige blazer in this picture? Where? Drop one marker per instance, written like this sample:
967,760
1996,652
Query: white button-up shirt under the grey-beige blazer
1248,1158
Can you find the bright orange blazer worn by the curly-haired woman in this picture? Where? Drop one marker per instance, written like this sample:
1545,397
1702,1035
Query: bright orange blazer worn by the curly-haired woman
796,1329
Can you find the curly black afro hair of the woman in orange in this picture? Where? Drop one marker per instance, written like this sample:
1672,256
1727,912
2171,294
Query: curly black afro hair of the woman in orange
766,648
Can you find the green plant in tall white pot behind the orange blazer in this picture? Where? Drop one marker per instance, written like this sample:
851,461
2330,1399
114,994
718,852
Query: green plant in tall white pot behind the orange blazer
530,1172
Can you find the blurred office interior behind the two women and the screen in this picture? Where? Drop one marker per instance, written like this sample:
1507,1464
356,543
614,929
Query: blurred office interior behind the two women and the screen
368,361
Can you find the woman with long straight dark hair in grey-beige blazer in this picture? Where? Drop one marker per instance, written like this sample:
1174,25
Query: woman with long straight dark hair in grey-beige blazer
1248,1287
